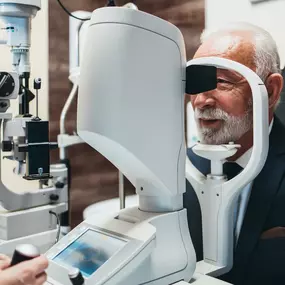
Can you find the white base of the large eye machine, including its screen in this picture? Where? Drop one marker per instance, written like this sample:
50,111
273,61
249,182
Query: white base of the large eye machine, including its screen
154,248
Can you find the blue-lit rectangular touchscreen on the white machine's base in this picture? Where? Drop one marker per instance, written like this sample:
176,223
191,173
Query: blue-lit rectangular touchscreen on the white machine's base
89,252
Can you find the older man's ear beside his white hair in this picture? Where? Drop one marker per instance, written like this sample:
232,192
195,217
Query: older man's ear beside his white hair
274,84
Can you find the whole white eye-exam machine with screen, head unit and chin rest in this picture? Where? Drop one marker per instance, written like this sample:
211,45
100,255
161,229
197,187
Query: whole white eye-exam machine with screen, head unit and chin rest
133,79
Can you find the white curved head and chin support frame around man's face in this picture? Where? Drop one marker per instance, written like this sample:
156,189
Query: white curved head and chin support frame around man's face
217,197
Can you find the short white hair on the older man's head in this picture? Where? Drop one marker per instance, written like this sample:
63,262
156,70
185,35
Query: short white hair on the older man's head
267,58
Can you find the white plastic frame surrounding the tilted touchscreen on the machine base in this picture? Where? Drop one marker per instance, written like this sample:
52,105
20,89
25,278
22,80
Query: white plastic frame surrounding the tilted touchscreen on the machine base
137,242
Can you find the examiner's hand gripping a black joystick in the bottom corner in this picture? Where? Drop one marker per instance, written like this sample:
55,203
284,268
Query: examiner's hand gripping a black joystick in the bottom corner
30,272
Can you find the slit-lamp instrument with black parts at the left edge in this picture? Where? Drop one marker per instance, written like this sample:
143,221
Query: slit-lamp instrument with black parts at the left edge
26,141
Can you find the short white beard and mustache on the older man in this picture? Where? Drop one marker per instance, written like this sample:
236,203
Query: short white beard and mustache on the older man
232,129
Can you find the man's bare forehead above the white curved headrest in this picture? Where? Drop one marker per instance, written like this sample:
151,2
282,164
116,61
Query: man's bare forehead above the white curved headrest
234,46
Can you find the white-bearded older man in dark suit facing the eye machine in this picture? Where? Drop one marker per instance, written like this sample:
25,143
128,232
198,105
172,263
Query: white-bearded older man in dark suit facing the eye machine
224,115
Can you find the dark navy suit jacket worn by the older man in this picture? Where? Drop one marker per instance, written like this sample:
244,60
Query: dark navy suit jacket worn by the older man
256,261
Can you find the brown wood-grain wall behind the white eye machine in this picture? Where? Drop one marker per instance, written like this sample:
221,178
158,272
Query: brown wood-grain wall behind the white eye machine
93,177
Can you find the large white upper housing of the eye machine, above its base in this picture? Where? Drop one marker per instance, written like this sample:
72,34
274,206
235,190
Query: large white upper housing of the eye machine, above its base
130,105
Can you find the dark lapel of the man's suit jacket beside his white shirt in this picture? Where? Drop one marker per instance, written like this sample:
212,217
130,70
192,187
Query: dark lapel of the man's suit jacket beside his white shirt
264,189
